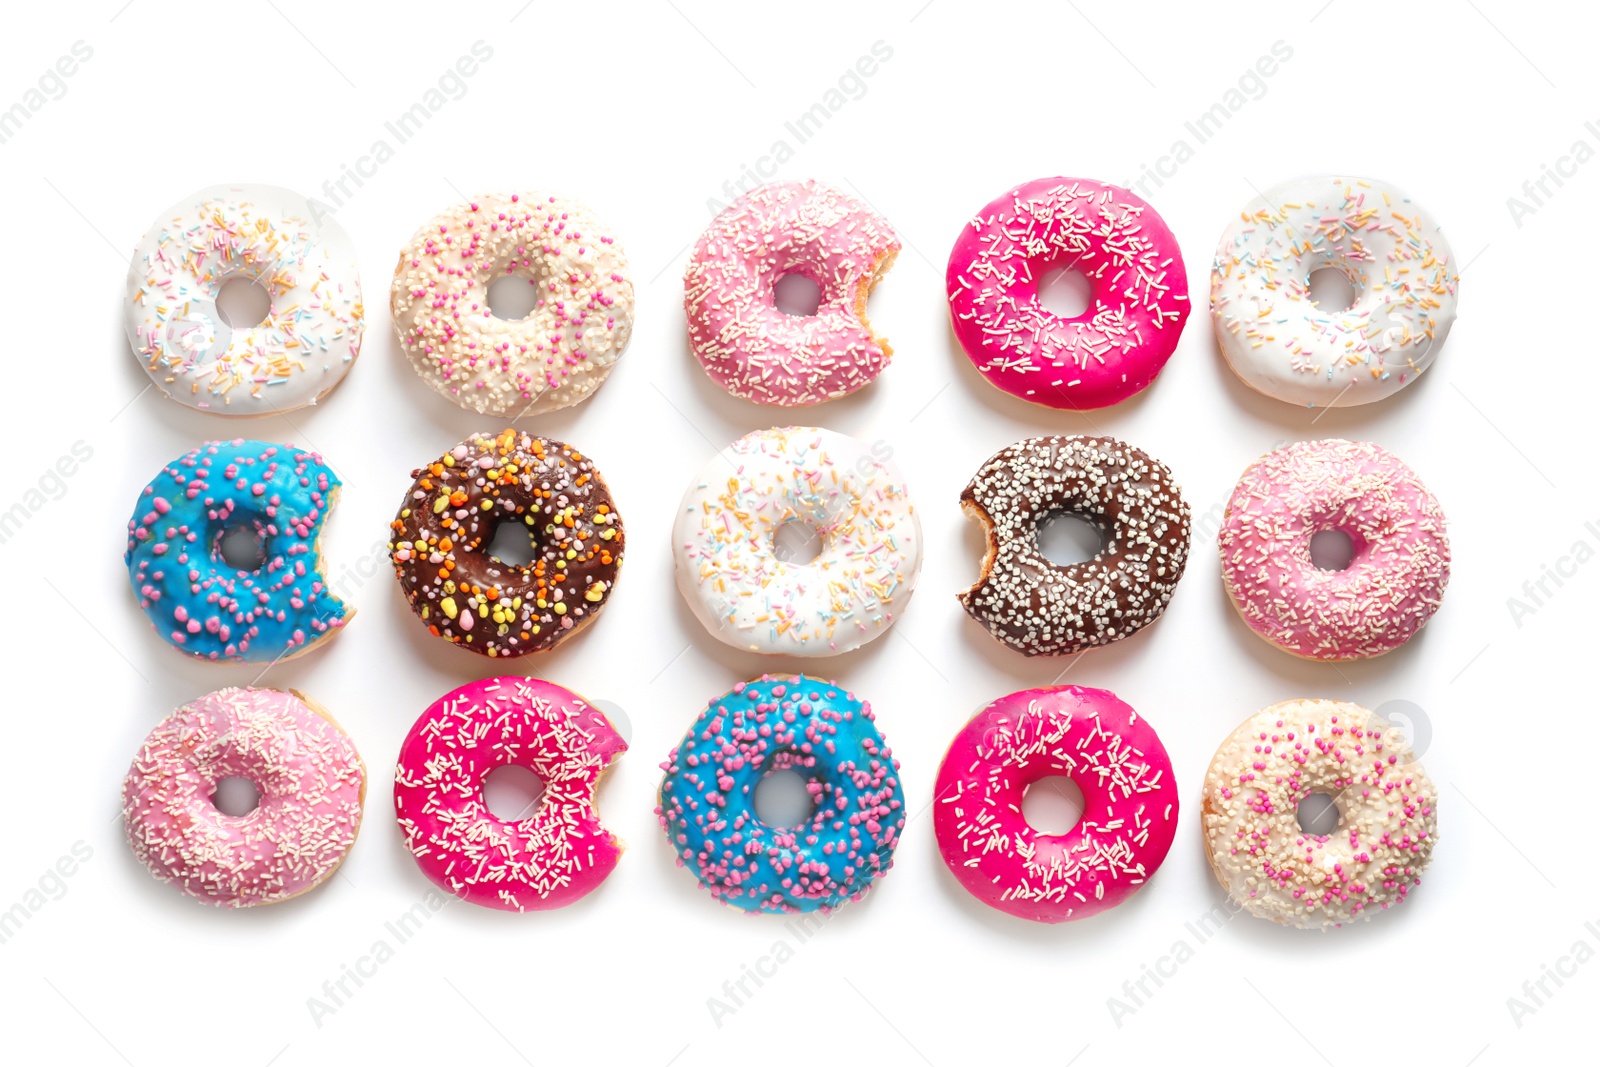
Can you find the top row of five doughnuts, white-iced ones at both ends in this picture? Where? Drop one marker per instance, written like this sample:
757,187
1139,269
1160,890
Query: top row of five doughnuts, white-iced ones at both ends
1274,335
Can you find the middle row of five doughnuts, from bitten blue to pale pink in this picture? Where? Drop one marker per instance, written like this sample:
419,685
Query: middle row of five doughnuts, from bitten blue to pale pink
727,559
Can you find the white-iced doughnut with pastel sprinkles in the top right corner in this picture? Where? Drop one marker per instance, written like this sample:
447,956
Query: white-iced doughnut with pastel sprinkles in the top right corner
1281,343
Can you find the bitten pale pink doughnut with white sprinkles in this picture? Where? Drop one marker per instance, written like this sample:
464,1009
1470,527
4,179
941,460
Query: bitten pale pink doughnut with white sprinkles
742,338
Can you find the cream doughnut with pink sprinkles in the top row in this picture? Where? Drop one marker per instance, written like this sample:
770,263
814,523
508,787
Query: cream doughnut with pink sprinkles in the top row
554,358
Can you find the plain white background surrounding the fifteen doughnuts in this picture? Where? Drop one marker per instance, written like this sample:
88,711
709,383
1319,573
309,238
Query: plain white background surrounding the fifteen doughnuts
646,113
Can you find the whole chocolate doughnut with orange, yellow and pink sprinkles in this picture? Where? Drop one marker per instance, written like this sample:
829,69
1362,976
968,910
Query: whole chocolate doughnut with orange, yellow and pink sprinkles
447,524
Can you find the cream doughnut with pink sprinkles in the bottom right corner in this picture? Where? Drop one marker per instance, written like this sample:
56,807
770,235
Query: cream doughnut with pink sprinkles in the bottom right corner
1279,757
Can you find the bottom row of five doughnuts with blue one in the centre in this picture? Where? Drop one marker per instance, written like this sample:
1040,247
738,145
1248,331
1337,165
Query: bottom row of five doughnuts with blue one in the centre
313,788
